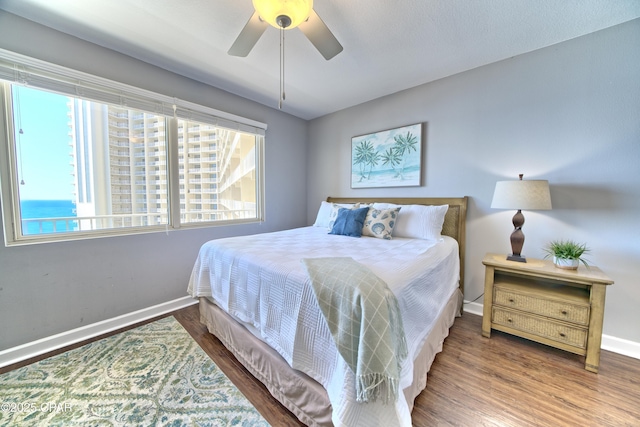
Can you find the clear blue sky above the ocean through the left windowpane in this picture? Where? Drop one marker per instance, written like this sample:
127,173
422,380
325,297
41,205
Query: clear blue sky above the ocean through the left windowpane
43,148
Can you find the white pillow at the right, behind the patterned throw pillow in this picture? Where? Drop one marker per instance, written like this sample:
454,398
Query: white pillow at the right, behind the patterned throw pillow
418,221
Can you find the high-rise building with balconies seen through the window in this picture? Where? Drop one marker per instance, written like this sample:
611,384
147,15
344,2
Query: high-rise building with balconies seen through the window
120,168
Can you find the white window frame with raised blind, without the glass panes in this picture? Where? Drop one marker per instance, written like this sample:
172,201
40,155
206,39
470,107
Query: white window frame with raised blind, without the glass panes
22,70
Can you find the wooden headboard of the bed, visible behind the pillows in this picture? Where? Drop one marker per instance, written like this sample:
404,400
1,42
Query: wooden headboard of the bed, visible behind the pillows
454,221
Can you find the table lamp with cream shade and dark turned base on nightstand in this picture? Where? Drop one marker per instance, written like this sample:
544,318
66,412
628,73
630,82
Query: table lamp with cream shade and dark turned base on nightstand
521,194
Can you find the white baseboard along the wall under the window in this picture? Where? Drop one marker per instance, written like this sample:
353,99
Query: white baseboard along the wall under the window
54,342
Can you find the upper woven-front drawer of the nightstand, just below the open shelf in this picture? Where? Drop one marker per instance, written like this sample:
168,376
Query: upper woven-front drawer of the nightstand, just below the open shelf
560,310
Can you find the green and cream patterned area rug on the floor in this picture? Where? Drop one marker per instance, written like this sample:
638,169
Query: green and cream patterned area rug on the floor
154,375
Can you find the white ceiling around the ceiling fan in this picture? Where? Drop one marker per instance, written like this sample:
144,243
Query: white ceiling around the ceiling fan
388,45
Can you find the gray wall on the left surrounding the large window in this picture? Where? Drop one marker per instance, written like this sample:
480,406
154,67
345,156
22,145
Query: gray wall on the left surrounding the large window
50,288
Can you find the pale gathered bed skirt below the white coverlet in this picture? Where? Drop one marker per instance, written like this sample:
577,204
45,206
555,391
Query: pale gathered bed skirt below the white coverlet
298,392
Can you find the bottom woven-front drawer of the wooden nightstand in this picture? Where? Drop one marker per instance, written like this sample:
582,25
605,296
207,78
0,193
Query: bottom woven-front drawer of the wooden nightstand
556,331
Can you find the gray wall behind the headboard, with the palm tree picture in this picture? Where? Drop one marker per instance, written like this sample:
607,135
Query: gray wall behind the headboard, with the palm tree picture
569,113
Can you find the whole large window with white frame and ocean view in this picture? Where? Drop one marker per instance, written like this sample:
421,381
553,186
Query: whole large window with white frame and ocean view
76,166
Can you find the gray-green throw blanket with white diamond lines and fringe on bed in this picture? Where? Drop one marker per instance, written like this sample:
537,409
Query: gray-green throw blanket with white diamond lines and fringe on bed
364,319
